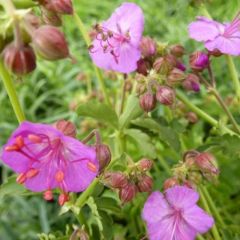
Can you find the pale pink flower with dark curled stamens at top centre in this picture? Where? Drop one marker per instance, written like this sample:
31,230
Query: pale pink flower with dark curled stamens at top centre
116,45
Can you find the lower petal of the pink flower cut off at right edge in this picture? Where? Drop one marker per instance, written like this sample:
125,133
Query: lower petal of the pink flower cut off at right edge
225,45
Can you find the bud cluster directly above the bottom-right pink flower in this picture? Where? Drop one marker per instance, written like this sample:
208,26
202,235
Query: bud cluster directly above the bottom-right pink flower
195,167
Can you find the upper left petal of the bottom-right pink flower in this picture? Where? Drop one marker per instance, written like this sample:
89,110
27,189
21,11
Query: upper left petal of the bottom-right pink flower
155,208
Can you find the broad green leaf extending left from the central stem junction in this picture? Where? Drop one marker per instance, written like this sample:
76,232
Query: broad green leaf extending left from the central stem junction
100,112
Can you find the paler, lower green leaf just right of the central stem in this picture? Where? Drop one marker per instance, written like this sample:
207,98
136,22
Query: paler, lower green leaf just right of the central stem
143,141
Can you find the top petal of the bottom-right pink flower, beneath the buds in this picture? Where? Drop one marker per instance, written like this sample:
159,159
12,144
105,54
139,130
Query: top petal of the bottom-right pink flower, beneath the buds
181,197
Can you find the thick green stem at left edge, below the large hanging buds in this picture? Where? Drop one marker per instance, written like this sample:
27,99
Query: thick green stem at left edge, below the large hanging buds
9,86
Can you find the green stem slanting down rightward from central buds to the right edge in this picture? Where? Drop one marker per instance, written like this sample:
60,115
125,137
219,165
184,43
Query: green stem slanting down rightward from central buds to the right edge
201,113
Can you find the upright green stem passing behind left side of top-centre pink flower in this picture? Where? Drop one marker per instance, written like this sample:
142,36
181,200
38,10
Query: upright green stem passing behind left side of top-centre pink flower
87,40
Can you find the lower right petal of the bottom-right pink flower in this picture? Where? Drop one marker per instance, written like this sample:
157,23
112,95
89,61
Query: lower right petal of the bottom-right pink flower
198,219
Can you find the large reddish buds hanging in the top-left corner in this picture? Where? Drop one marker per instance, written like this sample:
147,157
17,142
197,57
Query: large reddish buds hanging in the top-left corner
33,37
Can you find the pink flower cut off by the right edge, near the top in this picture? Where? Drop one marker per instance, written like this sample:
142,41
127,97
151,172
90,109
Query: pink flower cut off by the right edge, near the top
217,36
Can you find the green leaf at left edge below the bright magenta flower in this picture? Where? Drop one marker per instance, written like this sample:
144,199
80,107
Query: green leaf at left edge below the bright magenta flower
11,188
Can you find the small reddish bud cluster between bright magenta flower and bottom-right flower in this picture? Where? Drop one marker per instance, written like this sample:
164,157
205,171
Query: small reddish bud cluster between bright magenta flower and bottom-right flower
130,184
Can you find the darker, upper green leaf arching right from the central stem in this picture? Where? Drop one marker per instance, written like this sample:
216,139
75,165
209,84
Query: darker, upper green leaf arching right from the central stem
165,133
